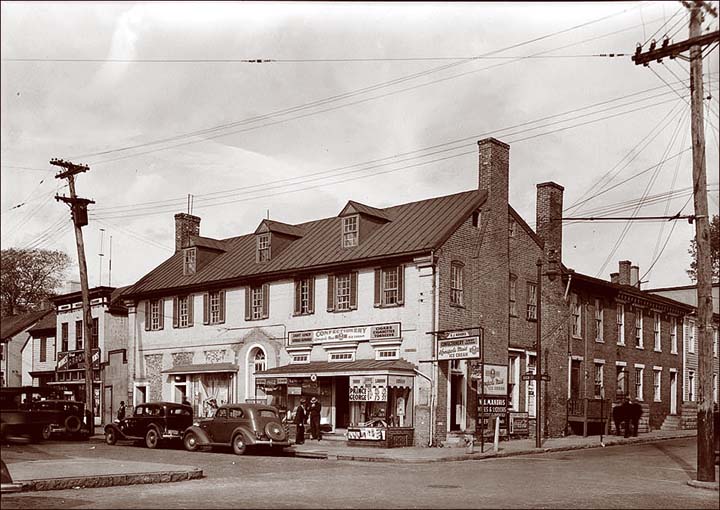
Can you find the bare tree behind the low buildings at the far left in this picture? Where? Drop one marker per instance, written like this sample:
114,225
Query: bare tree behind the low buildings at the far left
29,276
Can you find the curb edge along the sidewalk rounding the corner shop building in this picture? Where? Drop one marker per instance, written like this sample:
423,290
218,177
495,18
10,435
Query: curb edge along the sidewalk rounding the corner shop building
487,454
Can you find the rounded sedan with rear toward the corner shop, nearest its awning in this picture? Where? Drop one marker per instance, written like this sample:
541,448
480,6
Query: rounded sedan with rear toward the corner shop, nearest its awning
240,426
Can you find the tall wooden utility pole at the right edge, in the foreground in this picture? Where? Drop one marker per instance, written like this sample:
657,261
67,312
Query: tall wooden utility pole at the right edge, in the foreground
695,43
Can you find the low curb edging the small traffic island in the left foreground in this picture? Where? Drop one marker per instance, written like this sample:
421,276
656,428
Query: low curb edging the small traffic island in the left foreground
88,482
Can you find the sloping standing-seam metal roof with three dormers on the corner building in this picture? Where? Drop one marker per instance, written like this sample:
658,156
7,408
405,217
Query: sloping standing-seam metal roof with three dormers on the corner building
414,228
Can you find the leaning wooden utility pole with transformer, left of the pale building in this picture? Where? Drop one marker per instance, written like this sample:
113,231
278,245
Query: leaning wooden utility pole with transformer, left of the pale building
78,207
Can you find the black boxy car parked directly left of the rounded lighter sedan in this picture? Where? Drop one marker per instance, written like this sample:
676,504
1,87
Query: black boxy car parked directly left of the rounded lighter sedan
152,422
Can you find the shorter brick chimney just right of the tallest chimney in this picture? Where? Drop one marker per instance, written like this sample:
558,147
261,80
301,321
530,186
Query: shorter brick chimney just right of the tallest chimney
548,217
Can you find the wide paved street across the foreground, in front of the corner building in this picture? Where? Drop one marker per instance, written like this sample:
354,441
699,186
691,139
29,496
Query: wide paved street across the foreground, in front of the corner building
637,476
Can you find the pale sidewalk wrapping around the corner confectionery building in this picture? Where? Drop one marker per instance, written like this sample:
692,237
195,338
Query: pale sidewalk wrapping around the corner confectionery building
338,450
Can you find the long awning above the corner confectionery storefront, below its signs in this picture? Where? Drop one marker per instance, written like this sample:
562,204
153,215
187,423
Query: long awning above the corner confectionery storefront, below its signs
399,367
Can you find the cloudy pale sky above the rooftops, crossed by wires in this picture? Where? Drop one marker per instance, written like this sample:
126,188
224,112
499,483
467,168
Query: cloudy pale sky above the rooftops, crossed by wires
290,109
